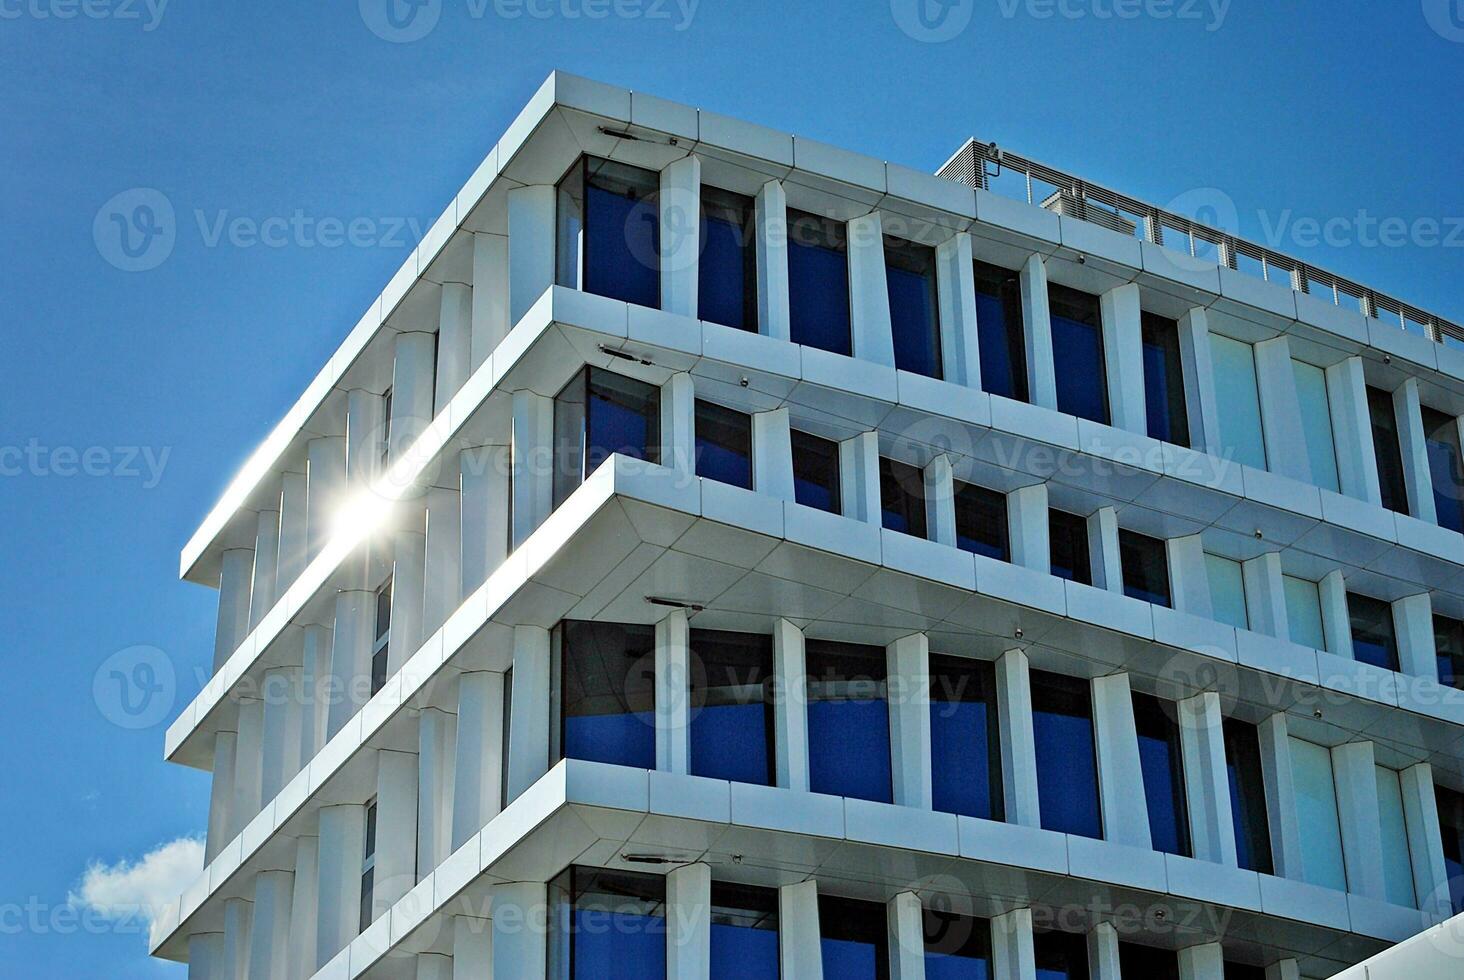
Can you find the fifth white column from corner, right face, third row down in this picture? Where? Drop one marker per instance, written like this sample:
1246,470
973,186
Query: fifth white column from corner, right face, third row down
1121,776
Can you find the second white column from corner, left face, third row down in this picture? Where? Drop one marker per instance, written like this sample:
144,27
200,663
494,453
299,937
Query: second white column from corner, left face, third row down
479,758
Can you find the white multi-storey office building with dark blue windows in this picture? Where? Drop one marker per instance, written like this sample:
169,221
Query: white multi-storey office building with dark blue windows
720,554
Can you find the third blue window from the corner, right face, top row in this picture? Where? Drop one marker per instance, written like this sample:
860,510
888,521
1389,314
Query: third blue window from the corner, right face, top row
819,282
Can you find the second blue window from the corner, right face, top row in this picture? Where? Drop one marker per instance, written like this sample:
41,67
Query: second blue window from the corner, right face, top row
727,276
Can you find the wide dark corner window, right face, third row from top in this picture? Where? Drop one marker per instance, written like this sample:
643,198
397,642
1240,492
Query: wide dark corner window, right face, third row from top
607,694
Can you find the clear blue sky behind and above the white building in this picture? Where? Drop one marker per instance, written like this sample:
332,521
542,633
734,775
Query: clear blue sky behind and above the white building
132,398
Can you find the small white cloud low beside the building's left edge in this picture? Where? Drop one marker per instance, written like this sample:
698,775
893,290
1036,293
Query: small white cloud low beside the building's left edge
140,891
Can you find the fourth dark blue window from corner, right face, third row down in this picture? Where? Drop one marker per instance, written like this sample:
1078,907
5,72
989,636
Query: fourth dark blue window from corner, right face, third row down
964,742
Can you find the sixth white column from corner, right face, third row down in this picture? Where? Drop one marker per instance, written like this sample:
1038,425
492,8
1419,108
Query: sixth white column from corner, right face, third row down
1207,782
